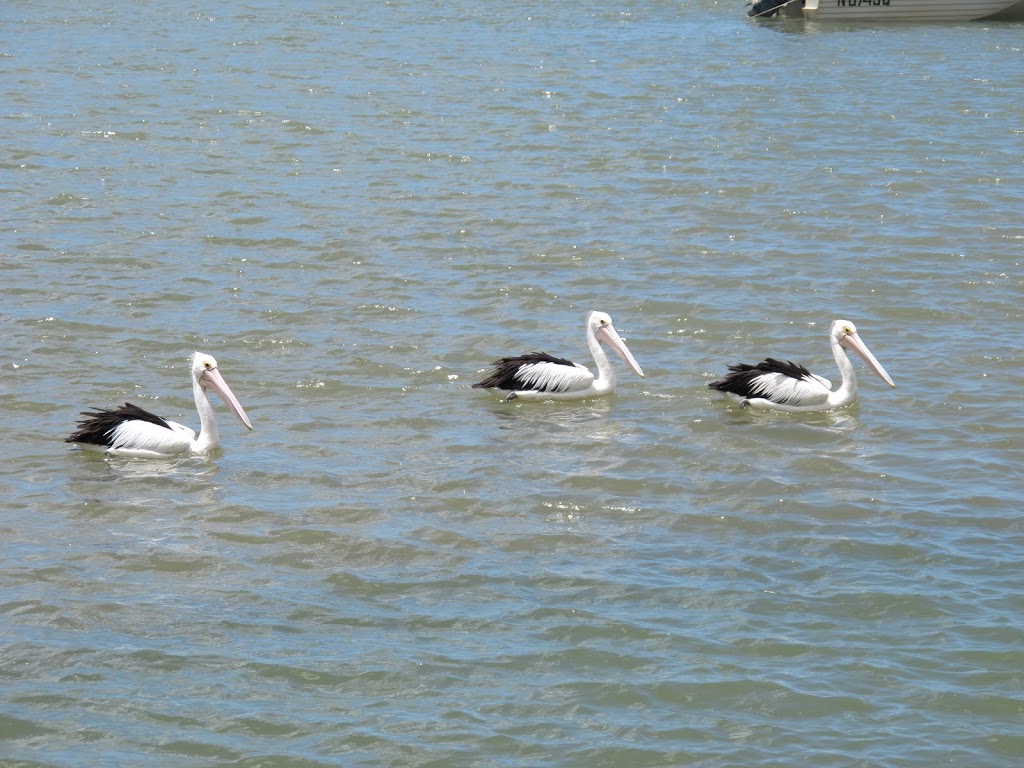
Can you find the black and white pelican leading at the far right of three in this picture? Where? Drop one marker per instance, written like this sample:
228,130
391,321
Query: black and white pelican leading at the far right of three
787,387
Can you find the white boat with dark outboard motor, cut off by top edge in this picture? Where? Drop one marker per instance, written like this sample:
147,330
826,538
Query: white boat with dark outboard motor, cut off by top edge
892,11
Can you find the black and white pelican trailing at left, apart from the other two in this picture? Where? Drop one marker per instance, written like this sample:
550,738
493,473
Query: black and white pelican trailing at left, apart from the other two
131,431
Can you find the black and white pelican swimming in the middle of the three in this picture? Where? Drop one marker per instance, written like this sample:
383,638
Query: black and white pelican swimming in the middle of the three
539,376
